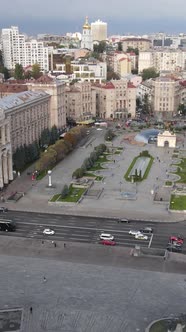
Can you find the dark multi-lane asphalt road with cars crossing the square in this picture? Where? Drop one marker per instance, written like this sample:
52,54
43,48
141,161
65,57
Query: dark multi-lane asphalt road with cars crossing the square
88,229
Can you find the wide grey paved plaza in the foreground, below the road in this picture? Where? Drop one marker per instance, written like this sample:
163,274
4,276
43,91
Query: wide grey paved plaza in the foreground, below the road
78,290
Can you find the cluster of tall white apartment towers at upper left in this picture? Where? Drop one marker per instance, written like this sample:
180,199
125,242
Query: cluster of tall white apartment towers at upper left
16,49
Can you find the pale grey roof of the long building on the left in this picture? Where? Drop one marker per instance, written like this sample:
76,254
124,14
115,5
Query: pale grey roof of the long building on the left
21,98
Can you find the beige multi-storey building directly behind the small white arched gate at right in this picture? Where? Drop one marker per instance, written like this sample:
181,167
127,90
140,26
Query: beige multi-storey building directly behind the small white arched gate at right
165,96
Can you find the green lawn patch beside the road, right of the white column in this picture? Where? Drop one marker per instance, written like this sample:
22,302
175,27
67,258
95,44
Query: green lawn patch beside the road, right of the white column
73,196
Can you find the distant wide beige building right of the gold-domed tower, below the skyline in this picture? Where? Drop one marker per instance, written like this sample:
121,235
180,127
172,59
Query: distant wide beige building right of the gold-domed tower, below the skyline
141,44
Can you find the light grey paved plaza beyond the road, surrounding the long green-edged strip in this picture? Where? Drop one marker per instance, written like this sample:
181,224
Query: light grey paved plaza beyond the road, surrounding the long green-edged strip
112,202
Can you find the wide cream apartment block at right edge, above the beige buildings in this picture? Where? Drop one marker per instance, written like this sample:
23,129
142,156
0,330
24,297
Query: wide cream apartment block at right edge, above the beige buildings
162,60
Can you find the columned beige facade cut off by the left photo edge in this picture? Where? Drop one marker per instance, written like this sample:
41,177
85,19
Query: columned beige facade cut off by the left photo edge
6,169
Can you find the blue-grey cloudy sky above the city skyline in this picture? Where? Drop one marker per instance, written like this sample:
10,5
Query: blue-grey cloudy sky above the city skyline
61,16
